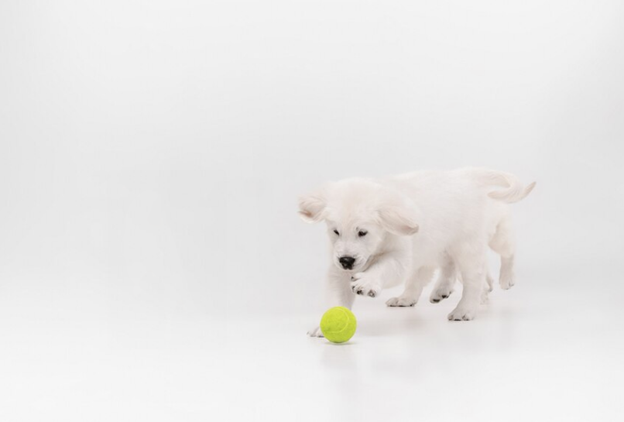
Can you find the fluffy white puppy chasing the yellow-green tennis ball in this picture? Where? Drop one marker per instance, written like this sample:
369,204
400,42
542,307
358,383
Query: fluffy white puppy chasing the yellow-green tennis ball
402,228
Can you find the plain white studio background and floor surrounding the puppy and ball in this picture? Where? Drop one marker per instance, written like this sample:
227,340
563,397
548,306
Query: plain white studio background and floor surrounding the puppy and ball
151,153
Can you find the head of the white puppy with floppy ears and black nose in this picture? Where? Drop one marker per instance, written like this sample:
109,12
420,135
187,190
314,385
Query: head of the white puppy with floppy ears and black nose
360,215
